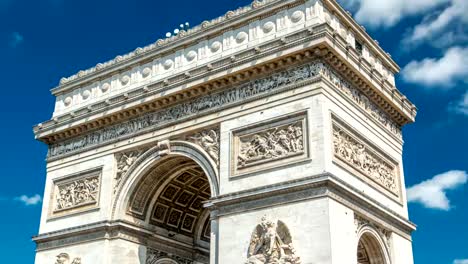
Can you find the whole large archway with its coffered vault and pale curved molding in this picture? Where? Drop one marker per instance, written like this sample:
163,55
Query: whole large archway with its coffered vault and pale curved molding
164,193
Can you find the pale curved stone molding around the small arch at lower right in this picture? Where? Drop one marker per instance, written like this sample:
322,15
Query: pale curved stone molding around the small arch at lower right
374,244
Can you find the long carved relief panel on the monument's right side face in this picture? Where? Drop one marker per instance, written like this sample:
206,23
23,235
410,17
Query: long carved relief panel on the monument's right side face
359,156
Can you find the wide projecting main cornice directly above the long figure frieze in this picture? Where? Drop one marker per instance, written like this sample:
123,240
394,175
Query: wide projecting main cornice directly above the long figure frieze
329,47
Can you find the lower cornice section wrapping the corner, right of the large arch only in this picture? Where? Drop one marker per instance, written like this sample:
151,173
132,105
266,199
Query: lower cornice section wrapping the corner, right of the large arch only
321,185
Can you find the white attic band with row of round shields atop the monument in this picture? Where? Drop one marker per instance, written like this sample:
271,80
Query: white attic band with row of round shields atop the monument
184,55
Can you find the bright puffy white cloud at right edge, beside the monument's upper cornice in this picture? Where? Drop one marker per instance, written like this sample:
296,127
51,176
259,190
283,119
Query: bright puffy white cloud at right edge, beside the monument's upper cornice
442,72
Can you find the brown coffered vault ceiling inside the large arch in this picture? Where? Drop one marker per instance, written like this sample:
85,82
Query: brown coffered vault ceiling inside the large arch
171,196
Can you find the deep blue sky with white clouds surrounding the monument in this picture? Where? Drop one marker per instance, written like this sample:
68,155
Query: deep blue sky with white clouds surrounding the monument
44,40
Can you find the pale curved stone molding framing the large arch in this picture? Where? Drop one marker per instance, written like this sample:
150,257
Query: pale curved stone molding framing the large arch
150,159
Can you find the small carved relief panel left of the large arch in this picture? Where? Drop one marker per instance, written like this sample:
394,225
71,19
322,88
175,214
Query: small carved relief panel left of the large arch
77,193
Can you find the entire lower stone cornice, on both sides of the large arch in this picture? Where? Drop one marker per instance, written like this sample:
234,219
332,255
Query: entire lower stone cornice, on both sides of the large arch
316,186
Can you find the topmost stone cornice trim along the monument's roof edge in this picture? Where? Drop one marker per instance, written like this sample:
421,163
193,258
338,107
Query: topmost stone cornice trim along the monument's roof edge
231,20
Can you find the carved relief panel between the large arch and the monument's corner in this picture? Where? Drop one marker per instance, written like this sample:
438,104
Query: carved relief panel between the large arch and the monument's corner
272,144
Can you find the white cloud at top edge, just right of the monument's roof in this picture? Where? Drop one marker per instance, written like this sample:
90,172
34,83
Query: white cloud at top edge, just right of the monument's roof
386,13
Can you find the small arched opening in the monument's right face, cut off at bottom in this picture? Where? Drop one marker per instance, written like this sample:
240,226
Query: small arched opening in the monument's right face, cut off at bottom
370,249
